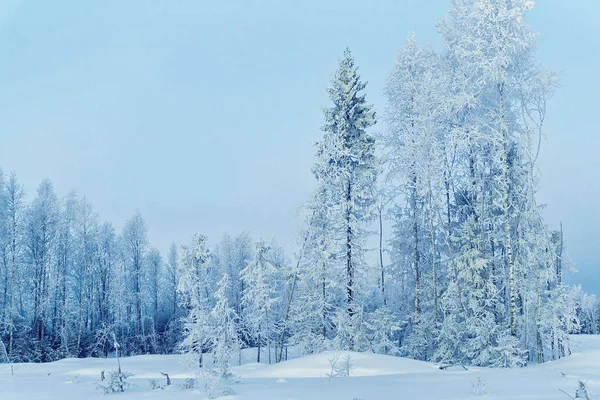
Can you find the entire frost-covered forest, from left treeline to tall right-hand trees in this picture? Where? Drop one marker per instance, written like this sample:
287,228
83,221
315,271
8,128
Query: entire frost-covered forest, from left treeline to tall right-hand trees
468,271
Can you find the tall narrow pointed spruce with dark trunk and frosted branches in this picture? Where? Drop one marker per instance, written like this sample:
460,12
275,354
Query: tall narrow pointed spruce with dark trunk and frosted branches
345,172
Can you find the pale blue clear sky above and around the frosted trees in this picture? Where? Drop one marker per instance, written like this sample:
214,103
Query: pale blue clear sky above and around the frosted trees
202,114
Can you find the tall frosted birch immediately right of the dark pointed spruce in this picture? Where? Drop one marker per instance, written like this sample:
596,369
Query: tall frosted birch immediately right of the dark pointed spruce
414,154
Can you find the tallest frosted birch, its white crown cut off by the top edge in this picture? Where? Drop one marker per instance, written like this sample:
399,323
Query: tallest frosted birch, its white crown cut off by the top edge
495,47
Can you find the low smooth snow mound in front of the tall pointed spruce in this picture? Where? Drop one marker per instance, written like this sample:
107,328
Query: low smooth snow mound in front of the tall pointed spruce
319,366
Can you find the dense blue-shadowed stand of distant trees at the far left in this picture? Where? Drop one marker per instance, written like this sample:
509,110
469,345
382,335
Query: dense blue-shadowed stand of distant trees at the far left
69,281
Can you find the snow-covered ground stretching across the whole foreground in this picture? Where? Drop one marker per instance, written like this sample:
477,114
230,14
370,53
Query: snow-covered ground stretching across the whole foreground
374,377
